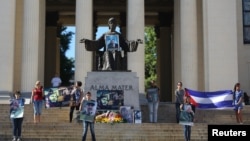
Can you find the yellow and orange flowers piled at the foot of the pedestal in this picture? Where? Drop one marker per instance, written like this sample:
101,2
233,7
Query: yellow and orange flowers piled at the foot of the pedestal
109,117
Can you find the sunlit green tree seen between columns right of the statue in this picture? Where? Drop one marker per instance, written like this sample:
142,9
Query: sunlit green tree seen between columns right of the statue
150,55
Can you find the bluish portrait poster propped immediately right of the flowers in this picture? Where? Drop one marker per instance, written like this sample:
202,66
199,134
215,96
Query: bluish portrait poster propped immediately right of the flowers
127,114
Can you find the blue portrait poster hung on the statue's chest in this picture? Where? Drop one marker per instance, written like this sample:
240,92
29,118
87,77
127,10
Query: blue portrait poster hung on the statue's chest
112,43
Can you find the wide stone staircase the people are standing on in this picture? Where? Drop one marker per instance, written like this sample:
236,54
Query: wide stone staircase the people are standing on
55,125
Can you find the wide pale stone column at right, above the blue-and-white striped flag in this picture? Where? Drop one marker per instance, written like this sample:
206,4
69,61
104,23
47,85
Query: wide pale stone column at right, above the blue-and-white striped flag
223,66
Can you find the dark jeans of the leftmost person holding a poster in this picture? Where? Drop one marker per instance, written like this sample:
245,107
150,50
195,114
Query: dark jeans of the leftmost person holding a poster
17,126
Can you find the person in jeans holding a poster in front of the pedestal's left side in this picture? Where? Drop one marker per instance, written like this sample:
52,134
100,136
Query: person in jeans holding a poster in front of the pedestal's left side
87,123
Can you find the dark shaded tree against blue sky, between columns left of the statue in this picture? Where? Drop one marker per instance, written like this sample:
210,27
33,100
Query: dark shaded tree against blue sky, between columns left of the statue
66,64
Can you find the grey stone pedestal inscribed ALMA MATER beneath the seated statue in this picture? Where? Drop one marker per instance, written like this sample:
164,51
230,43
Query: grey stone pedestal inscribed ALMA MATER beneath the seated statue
113,89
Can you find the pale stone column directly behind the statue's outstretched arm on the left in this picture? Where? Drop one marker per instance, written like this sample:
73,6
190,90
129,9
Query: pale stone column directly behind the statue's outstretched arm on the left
84,29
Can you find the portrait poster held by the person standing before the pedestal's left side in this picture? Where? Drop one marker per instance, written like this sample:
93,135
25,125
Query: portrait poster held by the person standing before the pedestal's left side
88,110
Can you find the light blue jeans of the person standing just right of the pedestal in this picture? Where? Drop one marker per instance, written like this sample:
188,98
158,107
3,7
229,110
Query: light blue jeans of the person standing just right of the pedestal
153,108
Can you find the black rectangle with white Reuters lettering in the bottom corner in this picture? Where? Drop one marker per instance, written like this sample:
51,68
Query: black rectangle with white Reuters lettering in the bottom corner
241,132
